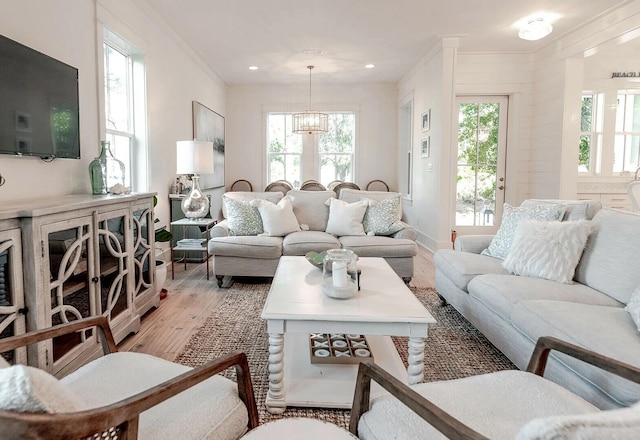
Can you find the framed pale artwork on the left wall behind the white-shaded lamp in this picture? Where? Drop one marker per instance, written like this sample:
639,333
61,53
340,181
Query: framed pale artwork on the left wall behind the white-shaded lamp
209,126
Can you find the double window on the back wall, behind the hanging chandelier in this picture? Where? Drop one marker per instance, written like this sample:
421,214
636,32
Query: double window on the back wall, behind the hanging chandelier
295,157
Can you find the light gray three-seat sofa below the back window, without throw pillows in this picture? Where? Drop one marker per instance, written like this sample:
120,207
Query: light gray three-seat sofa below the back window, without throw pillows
258,256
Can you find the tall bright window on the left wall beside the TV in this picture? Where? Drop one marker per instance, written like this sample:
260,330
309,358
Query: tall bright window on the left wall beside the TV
124,98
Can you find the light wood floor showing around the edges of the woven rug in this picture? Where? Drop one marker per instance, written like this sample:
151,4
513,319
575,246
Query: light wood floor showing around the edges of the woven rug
191,298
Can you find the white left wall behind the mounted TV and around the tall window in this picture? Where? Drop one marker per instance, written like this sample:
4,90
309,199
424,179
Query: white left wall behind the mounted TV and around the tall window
70,31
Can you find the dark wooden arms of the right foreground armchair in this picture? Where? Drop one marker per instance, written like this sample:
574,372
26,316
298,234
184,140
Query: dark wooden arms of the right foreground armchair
443,421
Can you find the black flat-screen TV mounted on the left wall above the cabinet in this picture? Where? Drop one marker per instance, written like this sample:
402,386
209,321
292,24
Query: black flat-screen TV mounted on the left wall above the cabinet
39,112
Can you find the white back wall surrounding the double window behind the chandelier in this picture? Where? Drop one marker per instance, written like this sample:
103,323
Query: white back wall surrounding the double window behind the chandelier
374,104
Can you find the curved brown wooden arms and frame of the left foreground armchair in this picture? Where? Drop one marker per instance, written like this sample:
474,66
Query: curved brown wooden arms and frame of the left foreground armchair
122,415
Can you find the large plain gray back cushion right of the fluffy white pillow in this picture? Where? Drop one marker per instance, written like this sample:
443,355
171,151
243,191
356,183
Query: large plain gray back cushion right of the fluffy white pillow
611,259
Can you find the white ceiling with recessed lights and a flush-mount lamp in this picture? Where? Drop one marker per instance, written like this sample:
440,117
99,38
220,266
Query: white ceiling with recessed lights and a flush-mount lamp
231,35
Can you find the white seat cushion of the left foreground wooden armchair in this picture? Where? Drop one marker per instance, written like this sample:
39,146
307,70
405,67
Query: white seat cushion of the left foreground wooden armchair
209,410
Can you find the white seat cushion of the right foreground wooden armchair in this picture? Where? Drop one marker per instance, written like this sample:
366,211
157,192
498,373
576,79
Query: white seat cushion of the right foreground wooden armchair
497,405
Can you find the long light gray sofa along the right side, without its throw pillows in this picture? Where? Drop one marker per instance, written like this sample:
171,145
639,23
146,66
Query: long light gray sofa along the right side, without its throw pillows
514,311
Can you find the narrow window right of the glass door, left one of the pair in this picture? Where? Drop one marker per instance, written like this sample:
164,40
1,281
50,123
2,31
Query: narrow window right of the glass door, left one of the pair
590,131
